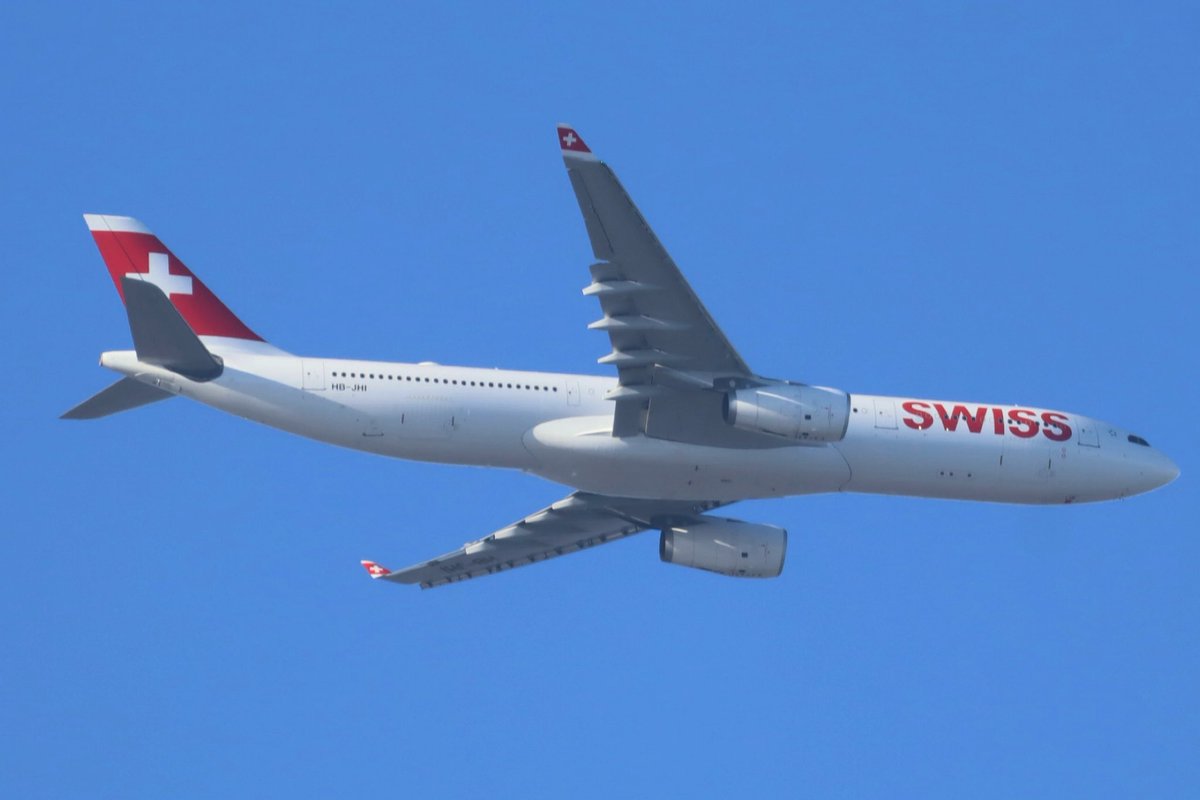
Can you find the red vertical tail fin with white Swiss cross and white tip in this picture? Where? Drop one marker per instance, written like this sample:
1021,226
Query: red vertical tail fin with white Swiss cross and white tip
130,249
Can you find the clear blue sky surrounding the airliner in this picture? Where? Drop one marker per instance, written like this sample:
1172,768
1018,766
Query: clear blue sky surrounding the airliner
983,202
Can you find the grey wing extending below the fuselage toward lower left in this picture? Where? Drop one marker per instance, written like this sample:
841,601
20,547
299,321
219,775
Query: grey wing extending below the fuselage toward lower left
577,522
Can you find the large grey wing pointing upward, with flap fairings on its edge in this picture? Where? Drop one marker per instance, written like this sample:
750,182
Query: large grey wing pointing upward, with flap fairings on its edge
673,360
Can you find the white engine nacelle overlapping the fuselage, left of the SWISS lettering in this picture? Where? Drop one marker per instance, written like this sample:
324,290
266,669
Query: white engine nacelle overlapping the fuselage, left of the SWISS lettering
790,411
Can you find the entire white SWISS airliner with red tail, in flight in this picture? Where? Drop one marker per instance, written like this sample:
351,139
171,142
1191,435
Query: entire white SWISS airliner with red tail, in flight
685,429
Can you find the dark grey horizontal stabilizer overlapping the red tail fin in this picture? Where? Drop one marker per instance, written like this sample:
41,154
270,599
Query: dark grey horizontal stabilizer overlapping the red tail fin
161,335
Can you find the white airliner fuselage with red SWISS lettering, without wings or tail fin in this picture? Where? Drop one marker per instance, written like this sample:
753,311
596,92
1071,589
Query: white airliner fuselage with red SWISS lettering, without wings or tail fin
559,426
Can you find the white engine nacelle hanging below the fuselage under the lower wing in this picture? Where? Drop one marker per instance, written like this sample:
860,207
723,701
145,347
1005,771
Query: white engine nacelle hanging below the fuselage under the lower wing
741,550
